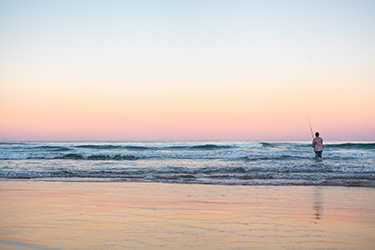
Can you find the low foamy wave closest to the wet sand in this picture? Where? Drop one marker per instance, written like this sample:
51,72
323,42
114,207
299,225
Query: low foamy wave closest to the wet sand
309,175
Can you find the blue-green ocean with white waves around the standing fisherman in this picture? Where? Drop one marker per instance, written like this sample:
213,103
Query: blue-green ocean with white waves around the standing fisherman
191,162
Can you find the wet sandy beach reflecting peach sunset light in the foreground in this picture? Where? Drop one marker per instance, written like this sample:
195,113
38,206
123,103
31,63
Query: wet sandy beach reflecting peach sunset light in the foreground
89,215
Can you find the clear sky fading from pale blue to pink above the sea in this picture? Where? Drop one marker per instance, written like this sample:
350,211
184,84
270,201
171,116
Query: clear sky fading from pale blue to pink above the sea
187,70
